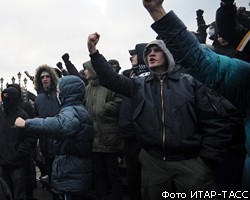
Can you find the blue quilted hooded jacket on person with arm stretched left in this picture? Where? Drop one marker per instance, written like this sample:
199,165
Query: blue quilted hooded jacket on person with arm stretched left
73,132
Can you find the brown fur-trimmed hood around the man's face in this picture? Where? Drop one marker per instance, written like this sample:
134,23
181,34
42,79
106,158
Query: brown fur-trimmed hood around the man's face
38,82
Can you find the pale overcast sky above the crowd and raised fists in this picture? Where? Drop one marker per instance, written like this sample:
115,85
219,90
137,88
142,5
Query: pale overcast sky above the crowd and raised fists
36,32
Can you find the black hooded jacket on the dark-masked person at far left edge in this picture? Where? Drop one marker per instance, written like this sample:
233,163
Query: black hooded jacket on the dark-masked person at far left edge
16,144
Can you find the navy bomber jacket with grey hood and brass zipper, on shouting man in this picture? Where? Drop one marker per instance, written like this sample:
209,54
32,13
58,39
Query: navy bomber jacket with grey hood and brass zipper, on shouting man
175,116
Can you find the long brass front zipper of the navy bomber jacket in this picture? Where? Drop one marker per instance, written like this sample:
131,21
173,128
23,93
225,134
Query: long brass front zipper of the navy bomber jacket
163,119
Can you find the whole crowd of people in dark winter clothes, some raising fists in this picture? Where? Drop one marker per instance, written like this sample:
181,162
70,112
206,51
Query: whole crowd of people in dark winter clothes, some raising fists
179,117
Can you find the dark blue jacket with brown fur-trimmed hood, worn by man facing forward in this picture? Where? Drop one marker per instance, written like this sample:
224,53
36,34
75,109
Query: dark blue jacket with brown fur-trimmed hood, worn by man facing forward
46,105
